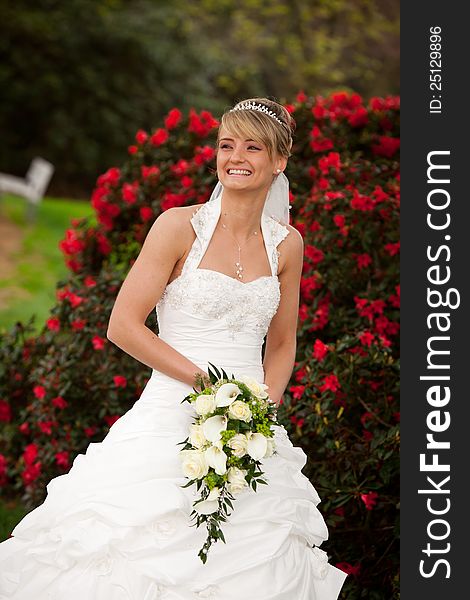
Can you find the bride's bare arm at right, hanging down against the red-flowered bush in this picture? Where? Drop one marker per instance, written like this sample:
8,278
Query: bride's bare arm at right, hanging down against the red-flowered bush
281,340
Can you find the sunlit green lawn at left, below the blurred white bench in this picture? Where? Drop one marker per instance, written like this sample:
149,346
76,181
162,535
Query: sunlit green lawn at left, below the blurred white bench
39,263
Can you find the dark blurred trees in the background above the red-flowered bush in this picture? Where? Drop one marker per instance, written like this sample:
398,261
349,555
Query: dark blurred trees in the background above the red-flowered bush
78,78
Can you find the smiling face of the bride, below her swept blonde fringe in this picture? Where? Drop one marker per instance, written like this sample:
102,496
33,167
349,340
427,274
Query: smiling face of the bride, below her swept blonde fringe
244,163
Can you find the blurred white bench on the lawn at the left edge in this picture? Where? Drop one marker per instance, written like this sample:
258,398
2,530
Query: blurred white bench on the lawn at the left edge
32,187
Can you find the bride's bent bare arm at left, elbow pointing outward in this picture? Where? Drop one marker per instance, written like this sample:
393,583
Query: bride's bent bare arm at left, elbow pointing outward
140,291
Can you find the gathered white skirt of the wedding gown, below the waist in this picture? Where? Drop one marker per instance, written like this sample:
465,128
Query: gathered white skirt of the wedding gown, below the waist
117,526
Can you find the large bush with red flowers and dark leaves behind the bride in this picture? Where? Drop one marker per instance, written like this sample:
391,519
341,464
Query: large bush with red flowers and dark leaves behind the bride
63,390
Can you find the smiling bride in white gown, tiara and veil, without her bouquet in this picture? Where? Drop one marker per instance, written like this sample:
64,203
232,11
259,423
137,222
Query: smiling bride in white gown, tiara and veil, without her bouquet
223,278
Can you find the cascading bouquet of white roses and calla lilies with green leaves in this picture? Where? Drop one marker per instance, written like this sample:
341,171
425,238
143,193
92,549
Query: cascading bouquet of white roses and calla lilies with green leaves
221,455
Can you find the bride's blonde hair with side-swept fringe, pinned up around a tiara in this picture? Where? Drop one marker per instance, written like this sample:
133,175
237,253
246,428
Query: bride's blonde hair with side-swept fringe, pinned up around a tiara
257,125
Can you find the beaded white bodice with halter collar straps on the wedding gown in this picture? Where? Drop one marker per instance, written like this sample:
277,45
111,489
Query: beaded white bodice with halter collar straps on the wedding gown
210,302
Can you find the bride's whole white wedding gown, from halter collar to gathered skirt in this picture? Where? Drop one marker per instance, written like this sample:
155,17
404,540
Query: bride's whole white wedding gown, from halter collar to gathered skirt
117,525
